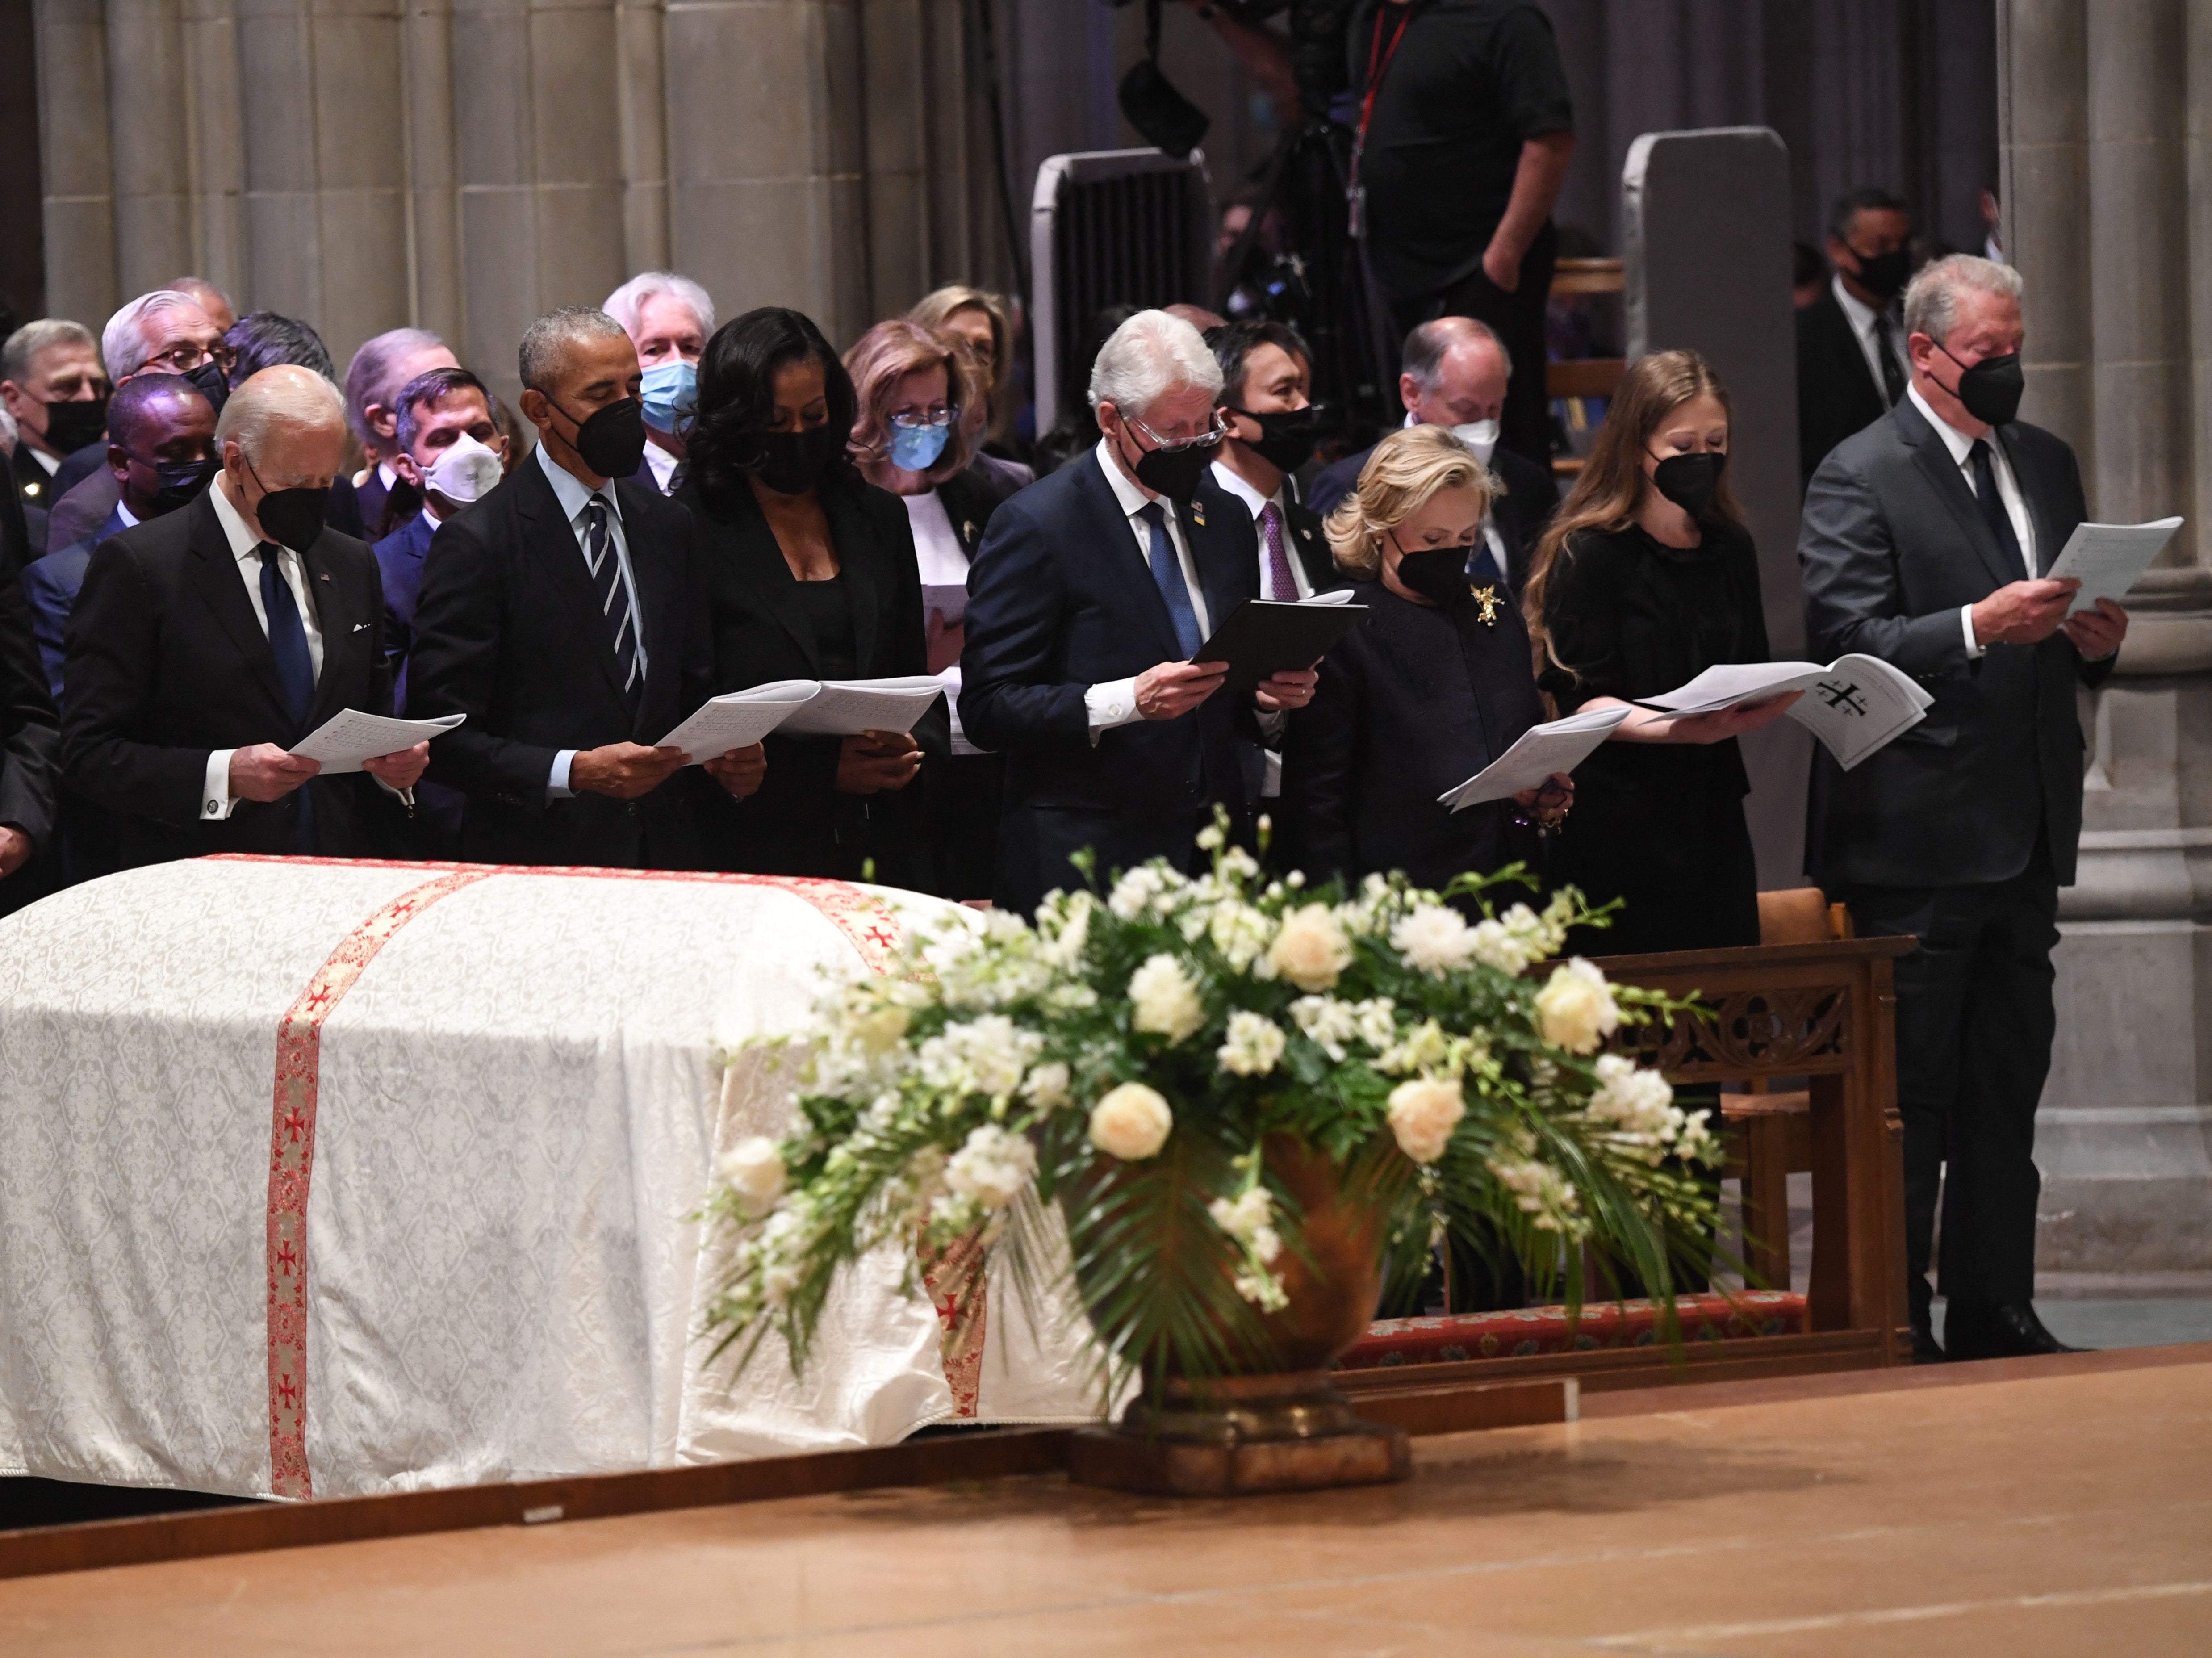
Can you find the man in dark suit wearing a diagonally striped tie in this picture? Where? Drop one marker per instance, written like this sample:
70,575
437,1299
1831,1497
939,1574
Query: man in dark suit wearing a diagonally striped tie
565,616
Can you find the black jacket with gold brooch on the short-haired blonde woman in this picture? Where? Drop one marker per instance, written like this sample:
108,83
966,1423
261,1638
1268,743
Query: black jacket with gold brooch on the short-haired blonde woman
1410,705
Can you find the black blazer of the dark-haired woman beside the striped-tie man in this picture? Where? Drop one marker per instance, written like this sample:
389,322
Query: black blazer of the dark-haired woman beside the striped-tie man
797,822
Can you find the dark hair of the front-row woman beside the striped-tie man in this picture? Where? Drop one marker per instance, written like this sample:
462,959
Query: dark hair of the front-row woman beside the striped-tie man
738,402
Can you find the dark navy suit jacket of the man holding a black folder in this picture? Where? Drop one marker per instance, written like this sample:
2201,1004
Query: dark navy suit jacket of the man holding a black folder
1061,599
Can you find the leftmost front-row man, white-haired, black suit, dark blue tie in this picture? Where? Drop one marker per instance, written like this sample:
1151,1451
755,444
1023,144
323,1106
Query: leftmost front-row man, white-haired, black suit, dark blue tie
207,643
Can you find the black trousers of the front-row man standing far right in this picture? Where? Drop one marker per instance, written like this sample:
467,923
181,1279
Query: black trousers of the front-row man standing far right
1974,1048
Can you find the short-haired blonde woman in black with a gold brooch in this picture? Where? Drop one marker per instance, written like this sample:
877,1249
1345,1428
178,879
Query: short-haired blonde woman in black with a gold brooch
1430,692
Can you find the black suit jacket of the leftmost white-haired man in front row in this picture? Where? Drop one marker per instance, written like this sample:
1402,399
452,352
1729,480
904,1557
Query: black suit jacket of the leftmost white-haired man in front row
165,663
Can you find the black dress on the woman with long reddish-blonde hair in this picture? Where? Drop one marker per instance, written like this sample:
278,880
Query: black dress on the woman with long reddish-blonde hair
1658,825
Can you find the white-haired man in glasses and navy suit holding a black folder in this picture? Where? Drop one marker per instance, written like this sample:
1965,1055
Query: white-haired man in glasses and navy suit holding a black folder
1087,601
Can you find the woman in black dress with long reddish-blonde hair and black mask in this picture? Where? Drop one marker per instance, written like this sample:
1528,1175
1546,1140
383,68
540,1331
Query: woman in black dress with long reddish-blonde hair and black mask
1645,579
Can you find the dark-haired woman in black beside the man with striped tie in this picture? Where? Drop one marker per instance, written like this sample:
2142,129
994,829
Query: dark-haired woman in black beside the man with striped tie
811,577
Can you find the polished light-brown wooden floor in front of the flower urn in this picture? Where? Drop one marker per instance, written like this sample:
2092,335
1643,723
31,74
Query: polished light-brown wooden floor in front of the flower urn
2023,1511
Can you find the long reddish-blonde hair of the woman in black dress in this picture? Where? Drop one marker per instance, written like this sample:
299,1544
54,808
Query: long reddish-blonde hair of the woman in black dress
1614,481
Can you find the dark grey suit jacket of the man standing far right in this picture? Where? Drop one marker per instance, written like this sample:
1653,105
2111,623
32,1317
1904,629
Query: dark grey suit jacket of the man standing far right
1892,546
